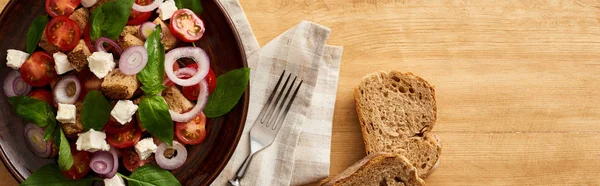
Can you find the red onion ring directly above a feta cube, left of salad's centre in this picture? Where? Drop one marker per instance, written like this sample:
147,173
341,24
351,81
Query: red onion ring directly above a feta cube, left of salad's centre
60,90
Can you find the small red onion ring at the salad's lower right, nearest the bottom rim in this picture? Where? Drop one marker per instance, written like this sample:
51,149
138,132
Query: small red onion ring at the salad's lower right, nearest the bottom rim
173,162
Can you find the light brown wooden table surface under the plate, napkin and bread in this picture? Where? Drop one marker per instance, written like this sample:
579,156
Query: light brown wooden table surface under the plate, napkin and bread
516,81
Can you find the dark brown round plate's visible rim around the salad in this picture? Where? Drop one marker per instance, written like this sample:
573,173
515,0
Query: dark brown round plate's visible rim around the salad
204,162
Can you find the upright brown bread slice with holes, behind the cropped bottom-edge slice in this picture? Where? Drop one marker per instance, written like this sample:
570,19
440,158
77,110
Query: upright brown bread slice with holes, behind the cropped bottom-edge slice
397,112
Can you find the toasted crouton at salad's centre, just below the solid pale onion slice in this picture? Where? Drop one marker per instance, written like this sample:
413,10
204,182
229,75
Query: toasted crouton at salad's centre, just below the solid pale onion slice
119,86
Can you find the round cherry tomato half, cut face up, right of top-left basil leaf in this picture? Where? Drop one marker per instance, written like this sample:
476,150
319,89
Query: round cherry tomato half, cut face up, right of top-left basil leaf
63,32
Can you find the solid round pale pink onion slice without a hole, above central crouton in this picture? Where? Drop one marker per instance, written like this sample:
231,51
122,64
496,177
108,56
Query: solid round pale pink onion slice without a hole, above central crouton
133,60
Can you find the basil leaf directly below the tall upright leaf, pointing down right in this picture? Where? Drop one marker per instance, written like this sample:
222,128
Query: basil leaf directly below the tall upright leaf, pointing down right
155,117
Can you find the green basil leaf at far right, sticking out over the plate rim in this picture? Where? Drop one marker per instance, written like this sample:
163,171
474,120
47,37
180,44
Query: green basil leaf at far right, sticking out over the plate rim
230,88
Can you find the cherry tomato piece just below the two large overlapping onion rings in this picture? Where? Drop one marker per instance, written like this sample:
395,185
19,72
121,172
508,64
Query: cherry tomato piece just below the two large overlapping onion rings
192,132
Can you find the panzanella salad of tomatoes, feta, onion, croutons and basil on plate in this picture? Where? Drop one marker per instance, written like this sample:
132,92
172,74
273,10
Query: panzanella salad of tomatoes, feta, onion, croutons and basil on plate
111,83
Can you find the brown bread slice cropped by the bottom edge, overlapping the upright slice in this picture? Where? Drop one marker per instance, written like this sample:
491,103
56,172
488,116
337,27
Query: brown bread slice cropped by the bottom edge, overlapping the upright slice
379,169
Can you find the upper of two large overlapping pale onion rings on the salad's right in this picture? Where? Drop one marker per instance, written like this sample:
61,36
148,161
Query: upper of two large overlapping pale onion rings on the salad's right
197,54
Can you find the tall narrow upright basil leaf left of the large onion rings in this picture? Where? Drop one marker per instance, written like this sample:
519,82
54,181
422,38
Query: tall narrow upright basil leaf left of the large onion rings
153,73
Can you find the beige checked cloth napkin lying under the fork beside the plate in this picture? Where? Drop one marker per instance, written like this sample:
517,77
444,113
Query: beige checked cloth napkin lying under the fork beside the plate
301,151
